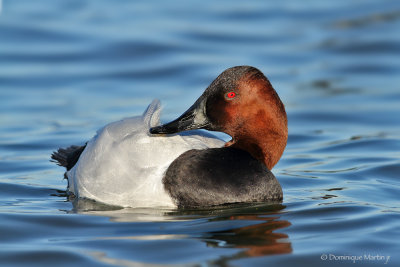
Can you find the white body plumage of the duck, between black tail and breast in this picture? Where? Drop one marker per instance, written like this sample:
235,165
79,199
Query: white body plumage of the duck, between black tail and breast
124,165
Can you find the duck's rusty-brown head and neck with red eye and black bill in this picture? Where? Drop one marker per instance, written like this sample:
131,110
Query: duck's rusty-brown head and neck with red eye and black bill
240,102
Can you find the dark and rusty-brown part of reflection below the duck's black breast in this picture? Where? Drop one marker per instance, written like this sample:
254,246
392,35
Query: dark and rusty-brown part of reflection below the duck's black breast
263,236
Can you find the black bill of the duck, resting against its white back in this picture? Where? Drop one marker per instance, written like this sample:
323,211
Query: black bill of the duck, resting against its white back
194,118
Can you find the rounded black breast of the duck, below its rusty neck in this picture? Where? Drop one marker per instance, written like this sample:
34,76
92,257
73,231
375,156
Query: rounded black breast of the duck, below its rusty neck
217,176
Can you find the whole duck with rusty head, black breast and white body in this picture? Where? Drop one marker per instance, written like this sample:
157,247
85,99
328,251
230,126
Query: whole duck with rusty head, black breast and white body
139,162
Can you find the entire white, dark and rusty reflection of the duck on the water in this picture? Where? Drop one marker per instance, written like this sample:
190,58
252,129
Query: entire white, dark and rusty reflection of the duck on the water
257,230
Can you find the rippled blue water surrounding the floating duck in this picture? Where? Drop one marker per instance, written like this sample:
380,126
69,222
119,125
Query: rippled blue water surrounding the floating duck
69,67
